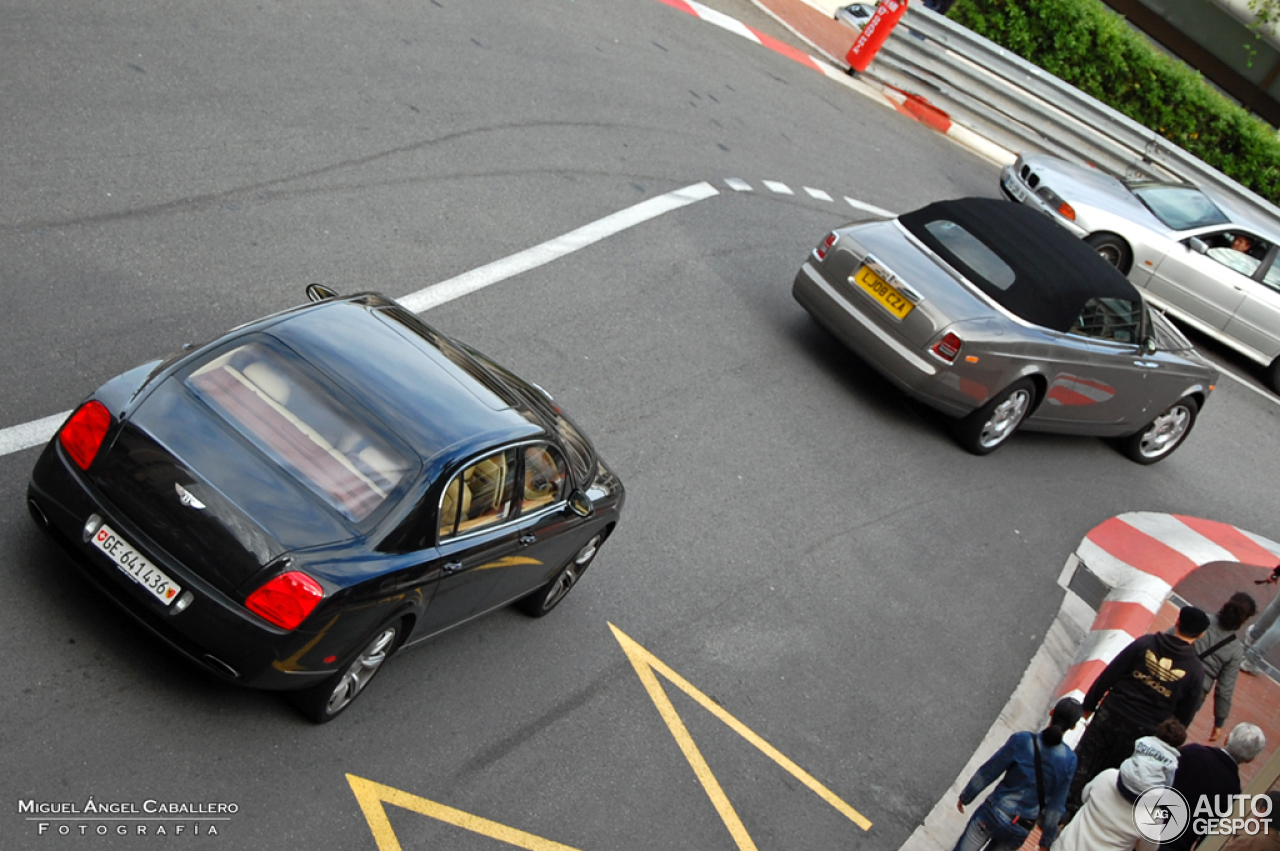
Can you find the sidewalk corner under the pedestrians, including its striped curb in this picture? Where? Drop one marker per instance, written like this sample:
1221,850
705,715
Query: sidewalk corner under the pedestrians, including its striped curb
1130,577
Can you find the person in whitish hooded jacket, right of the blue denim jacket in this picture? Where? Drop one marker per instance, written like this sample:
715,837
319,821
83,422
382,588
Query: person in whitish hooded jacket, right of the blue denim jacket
1105,822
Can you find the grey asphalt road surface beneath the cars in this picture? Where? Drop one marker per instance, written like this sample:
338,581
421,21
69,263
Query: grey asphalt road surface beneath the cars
804,548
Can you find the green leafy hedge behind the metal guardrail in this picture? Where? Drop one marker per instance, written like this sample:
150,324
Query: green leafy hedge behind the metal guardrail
1094,49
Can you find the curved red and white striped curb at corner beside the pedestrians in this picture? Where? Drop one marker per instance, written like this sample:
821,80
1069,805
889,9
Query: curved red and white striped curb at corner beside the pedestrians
1141,557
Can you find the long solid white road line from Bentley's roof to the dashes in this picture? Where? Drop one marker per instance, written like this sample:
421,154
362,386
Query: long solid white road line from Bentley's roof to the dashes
555,249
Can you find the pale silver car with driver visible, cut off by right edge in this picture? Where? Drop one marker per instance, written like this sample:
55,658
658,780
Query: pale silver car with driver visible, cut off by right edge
1195,257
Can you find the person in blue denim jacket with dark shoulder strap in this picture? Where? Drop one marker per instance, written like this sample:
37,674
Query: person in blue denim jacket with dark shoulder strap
1005,820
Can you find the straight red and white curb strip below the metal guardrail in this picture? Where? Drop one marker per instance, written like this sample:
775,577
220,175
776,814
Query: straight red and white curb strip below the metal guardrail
904,103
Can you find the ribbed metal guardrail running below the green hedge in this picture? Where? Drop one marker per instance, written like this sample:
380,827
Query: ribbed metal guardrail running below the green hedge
1026,108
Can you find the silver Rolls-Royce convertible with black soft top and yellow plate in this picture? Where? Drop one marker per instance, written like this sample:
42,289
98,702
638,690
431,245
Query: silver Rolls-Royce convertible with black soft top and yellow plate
995,315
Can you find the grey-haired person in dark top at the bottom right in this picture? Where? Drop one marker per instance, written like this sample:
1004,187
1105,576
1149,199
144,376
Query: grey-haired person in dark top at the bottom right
1210,774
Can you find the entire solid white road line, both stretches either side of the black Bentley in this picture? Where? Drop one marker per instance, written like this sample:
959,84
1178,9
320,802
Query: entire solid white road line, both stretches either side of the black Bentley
40,432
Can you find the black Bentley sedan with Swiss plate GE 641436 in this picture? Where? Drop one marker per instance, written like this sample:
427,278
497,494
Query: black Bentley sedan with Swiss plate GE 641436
290,505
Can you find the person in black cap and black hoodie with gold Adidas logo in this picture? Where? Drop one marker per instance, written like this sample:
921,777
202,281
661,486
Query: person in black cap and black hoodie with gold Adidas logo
1153,679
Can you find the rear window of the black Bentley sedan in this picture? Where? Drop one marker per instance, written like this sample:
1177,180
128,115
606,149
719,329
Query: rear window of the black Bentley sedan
304,427
